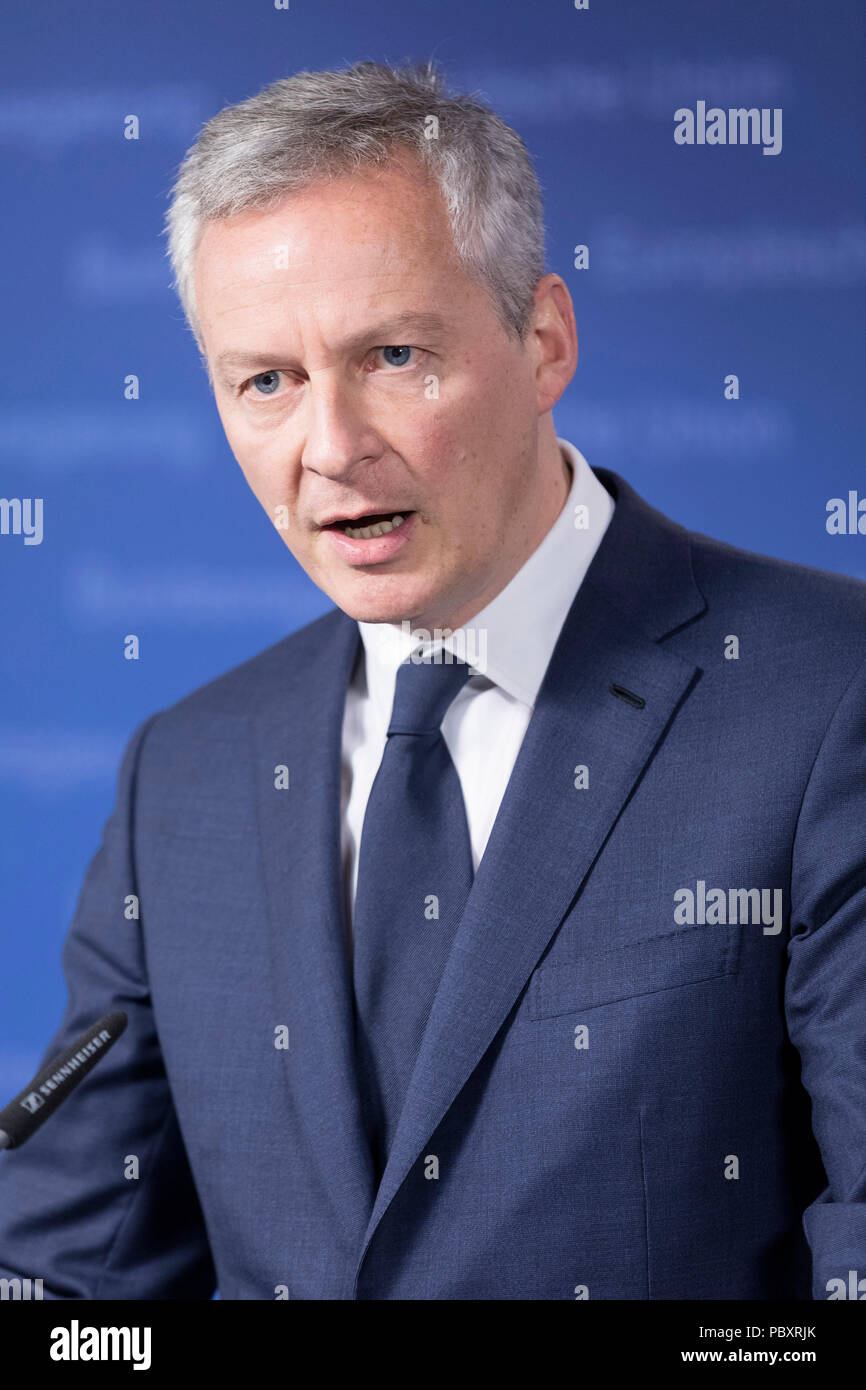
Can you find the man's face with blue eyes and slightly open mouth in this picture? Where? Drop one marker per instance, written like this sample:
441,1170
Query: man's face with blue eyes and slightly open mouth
361,376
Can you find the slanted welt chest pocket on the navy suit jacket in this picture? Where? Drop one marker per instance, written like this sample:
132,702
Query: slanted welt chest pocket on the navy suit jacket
625,972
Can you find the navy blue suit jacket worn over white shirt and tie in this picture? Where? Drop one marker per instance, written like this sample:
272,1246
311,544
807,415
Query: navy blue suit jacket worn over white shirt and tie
640,1079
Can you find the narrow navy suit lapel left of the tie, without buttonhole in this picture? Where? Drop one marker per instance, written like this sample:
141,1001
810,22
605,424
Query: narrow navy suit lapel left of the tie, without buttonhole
301,728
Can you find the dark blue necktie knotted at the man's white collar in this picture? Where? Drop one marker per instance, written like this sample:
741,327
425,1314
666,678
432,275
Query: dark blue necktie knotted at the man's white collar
415,875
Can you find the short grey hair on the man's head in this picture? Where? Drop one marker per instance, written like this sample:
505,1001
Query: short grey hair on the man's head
323,124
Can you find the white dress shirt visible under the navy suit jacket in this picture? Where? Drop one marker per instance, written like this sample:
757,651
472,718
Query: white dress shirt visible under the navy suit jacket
514,639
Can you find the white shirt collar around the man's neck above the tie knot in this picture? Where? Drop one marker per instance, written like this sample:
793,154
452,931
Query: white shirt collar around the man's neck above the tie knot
512,640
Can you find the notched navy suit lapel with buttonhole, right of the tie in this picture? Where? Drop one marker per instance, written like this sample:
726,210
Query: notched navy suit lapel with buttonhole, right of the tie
547,836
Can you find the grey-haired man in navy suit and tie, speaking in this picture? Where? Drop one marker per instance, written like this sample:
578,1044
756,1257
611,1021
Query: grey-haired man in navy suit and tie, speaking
503,933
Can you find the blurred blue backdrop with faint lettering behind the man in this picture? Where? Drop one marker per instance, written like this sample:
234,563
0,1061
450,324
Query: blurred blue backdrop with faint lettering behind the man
703,262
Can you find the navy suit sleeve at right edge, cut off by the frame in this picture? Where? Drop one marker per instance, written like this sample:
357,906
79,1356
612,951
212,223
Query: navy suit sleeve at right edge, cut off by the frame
826,986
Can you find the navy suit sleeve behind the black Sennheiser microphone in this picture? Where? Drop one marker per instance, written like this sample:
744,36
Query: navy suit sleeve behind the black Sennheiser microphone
101,1202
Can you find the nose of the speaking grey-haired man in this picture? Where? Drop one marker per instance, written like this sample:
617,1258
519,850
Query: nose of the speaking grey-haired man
338,440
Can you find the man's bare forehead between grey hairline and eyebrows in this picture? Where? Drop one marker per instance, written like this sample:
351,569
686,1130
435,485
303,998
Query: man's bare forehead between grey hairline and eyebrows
362,240
